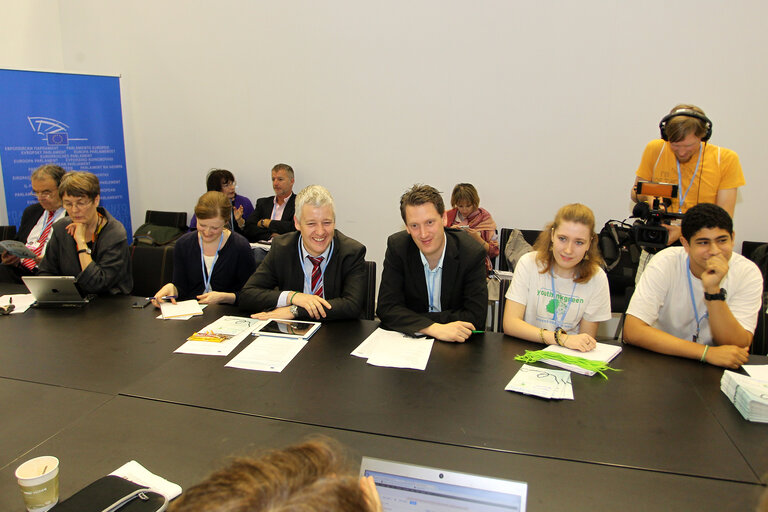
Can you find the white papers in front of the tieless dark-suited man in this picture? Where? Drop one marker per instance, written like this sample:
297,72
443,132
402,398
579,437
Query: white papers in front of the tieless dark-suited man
395,350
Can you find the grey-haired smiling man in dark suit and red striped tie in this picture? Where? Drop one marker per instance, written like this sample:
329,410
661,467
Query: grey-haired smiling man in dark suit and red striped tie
316,273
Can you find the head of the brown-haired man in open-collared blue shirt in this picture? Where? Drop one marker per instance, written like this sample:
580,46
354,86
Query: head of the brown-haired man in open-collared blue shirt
422,210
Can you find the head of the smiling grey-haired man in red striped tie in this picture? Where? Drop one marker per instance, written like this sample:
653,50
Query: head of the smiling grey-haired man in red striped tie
315,218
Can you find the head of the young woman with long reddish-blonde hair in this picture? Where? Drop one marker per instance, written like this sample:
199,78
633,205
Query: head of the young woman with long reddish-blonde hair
568,245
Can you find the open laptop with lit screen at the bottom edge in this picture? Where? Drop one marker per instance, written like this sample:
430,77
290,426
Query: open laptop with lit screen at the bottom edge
420,489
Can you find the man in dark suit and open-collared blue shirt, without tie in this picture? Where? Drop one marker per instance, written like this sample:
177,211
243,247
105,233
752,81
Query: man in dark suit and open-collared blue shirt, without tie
434,277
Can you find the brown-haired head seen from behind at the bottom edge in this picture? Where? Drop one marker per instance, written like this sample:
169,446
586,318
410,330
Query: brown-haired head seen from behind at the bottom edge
312,476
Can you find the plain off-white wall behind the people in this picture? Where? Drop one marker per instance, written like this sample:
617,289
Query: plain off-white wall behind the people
536,103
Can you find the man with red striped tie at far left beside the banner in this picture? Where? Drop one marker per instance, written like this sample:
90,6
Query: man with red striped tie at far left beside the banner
36,223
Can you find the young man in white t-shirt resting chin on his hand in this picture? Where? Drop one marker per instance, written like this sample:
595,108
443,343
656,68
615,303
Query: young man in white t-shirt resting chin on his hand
700,300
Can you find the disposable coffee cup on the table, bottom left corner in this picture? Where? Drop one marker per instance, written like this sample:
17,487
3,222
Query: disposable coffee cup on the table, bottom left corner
39,482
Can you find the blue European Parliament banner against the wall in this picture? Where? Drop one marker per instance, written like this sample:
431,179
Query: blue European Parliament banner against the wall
74,121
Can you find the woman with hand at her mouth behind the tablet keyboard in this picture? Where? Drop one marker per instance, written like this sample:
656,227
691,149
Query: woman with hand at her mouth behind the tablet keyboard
89,244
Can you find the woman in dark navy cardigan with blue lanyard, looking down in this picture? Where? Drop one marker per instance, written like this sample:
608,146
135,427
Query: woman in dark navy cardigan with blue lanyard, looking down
210,264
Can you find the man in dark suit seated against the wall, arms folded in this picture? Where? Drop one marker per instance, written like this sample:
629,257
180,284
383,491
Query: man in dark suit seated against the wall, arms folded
273,215
